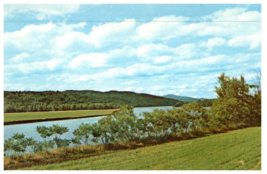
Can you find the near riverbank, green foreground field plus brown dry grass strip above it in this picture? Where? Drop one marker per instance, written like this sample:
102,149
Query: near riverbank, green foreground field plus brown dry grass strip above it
223,149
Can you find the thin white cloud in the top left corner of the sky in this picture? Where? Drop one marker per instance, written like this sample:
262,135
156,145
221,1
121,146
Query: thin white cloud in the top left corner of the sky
43,10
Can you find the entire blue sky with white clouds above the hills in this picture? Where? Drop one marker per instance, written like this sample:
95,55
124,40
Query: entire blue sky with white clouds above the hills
155,49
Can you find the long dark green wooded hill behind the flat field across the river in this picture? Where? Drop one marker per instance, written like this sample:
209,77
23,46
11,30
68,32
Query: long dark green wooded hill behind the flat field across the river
28,101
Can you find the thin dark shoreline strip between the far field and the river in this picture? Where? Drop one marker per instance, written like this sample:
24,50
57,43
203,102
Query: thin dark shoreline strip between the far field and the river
52,119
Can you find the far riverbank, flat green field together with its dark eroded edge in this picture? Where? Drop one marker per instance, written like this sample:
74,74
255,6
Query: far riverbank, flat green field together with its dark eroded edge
34,117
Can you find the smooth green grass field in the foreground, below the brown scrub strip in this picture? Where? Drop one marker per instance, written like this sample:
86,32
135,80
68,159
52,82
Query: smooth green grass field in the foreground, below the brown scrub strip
236,150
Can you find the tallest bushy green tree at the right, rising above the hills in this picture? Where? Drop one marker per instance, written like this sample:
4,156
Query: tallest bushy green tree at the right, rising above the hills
234,105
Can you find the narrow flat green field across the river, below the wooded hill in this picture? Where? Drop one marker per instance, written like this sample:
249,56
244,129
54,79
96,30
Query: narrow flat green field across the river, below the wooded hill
25,116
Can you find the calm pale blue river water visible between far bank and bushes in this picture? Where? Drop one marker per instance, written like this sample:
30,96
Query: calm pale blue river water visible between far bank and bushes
29,129
